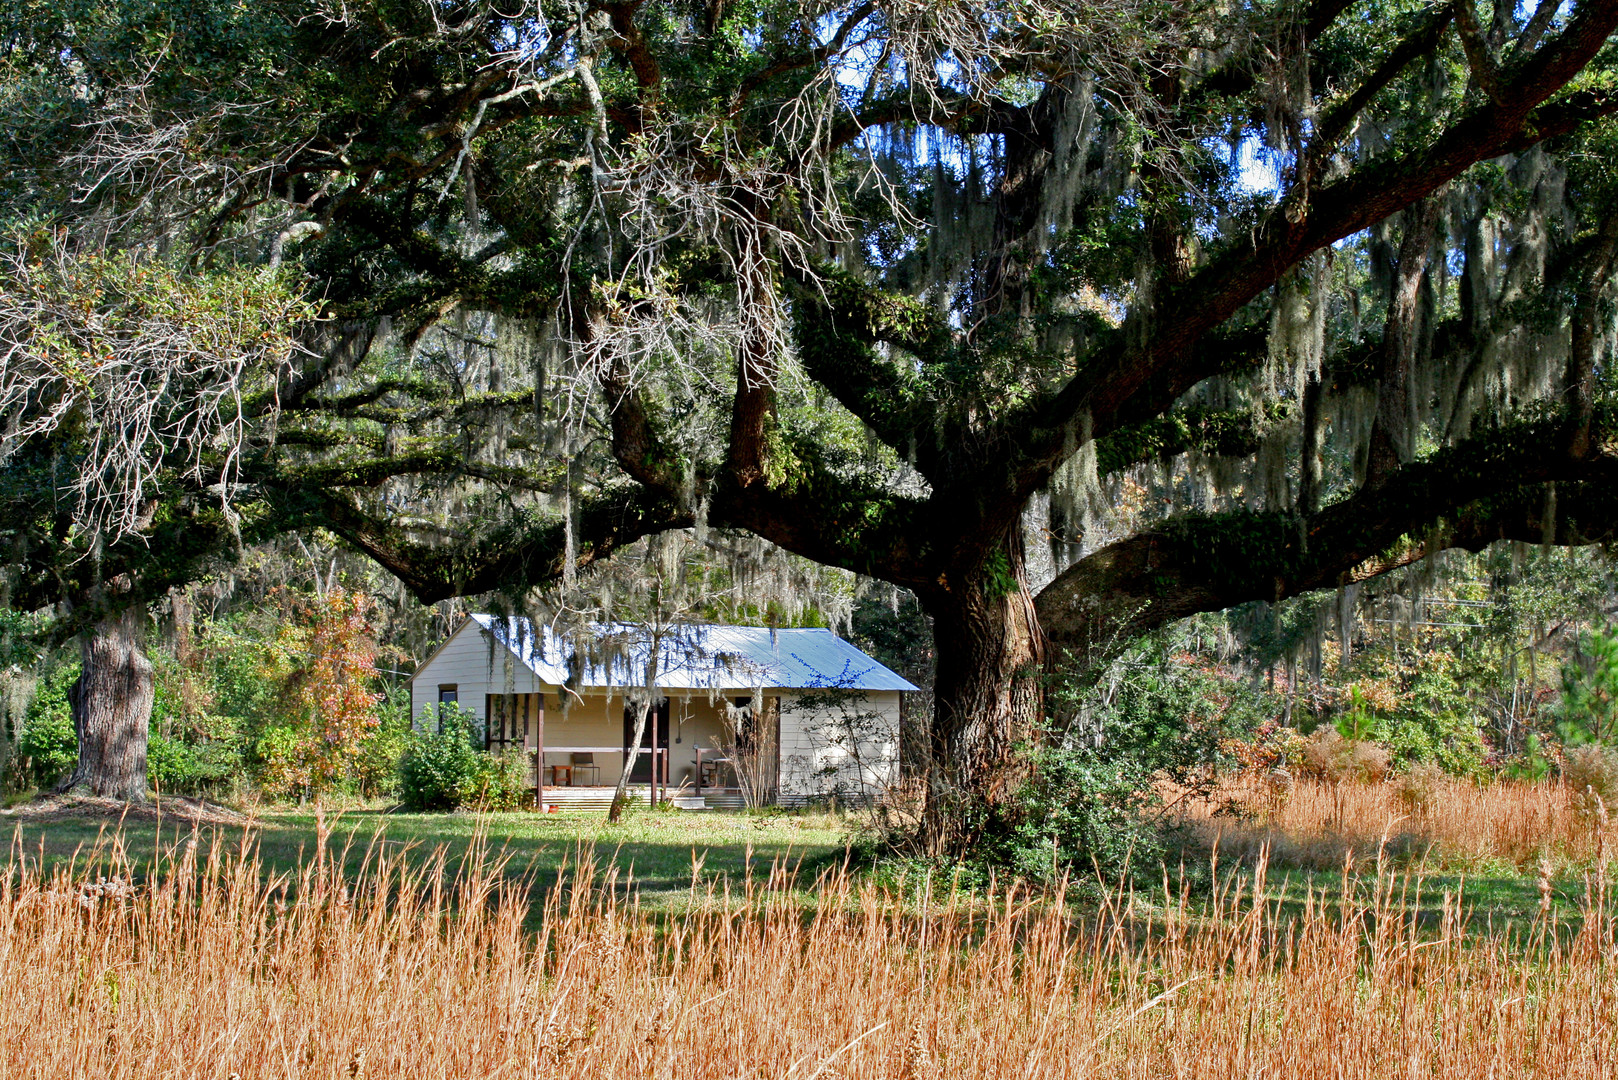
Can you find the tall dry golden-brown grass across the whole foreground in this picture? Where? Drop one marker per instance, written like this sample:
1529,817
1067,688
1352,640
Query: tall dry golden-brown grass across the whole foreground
210,969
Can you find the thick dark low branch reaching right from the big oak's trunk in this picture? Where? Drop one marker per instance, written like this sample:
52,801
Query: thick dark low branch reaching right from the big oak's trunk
1483,490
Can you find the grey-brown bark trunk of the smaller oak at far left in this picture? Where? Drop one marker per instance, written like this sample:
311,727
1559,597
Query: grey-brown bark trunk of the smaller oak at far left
112,707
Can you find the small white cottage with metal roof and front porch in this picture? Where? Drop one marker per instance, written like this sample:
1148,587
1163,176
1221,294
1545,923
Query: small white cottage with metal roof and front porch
782,716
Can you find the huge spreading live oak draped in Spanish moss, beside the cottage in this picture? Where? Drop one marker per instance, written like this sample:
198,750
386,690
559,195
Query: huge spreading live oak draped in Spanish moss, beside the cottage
1229,302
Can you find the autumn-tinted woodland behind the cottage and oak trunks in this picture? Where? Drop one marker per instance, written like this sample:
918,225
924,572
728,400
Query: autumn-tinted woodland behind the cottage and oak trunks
286,684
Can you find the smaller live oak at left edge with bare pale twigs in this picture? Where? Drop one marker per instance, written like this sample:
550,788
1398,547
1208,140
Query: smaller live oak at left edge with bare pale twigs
161,422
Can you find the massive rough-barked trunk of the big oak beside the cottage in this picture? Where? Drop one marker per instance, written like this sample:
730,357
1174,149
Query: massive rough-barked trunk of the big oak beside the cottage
986,697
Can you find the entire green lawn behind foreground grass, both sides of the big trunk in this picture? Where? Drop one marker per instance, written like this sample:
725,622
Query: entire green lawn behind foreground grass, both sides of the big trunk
658,854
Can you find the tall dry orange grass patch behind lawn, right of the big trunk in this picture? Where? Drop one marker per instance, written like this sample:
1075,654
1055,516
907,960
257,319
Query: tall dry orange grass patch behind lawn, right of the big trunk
1451,823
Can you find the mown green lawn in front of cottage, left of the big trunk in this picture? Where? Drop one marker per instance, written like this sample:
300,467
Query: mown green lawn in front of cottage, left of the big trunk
656,853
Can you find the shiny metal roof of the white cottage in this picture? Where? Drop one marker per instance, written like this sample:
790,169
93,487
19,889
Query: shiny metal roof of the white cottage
695,657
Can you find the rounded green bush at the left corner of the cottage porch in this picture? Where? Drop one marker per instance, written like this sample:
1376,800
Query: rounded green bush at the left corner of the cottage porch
444,768
